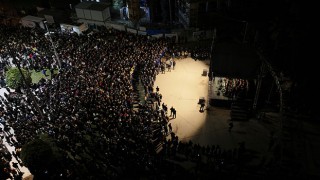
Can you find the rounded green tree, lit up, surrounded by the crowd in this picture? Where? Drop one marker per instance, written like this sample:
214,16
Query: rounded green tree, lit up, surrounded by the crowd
14,78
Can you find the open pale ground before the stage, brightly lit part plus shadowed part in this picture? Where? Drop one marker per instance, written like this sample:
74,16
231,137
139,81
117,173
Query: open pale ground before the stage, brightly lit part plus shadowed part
182,88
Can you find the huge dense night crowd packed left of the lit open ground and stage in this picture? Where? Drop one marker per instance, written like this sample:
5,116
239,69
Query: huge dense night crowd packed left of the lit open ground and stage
87,107
